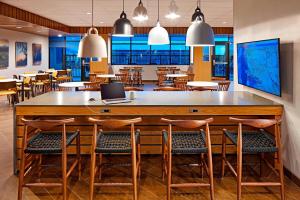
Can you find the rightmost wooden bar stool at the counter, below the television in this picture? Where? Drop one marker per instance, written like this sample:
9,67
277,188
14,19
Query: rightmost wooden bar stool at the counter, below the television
254,142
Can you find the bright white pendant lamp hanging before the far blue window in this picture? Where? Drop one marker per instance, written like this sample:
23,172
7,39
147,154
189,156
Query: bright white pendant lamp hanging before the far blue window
158,35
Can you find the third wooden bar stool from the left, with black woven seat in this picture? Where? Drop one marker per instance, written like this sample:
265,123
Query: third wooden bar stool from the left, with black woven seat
187,142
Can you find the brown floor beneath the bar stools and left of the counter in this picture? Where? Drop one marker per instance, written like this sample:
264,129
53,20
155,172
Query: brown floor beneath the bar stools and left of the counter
151,185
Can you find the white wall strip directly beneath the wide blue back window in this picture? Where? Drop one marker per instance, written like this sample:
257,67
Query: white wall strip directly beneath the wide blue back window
149,71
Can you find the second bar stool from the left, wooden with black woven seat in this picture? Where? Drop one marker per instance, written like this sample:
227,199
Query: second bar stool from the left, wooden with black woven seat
115,142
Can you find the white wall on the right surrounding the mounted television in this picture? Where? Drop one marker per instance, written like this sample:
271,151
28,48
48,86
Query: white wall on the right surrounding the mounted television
265,19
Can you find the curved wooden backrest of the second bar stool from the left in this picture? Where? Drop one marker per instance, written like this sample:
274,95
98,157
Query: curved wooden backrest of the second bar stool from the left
115,123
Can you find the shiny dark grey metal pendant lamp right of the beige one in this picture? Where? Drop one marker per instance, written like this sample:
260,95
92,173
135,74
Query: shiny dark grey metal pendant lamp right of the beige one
122,26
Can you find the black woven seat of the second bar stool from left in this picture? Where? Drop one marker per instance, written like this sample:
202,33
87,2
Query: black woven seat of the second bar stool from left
115,142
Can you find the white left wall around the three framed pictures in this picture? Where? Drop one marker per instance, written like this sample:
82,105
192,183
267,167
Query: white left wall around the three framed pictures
14,36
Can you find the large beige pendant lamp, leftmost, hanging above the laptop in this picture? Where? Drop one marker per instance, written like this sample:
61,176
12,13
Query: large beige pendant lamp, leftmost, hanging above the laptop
92,45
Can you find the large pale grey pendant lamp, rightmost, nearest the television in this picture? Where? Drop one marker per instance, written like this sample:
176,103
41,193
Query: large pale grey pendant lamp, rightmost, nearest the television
199,33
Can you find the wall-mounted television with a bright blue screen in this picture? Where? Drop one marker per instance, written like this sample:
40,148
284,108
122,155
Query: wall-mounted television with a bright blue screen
259,65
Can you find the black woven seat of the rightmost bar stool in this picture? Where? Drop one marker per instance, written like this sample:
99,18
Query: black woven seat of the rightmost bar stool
254,141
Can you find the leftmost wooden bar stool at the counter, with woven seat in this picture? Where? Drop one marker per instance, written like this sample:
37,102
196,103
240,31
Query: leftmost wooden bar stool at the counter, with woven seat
40,142
